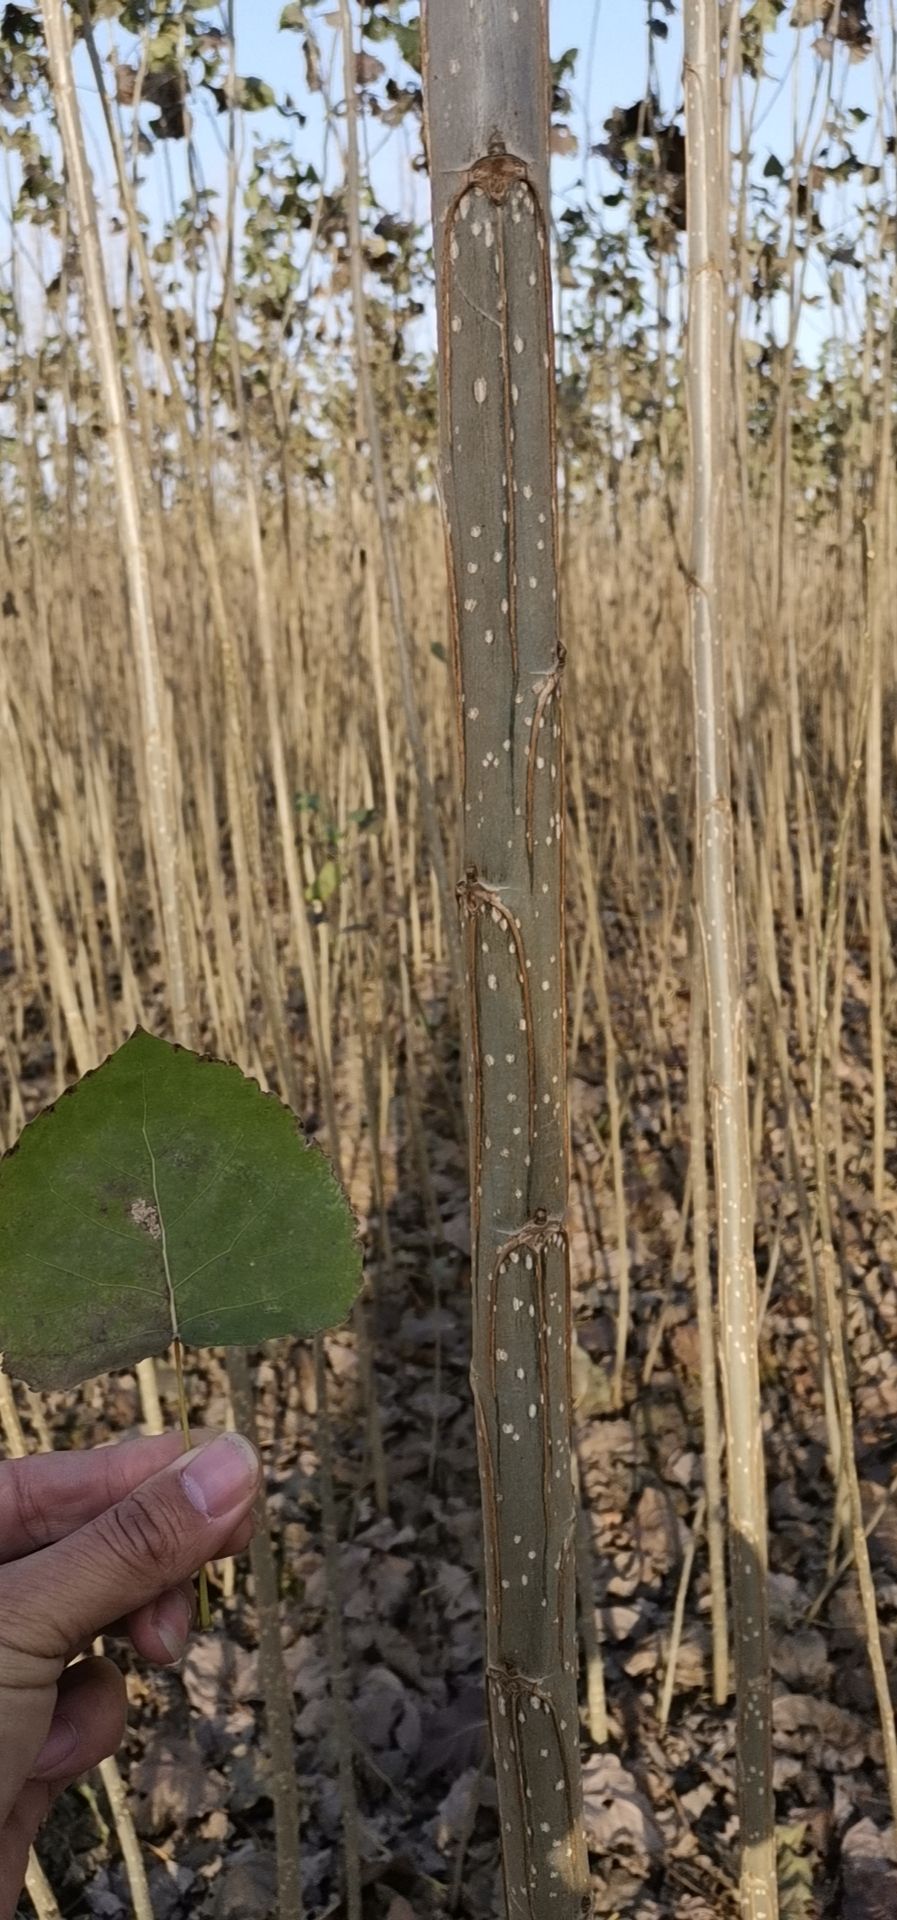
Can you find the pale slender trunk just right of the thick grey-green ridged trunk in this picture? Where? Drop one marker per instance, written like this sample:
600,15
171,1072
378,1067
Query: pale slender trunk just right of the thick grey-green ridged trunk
717,924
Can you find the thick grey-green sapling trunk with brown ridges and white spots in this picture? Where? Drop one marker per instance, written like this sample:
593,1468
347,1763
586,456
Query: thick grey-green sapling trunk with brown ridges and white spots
487,89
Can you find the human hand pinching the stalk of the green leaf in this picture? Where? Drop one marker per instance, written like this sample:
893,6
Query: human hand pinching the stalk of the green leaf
95,1543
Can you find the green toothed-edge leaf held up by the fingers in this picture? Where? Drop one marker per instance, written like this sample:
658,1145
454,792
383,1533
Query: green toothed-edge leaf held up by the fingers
166,1195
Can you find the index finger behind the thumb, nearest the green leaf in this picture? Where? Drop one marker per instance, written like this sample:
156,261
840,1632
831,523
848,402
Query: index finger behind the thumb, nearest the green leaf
47,1497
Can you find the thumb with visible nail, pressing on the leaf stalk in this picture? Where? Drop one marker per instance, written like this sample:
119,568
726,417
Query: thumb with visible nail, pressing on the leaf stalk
61,1598
